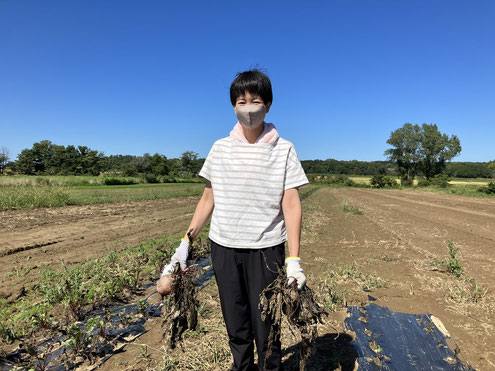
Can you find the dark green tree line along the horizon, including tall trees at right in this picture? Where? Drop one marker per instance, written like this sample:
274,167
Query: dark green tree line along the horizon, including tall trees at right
415,150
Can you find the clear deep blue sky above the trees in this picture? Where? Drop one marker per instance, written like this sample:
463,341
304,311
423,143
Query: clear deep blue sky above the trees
129,77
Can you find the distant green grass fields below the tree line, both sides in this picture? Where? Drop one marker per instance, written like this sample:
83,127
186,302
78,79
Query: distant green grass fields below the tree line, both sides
31,192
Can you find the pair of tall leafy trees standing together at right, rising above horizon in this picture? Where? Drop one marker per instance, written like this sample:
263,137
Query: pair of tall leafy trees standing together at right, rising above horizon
421,149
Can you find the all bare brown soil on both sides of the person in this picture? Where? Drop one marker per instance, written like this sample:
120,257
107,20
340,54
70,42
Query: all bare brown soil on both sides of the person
391,244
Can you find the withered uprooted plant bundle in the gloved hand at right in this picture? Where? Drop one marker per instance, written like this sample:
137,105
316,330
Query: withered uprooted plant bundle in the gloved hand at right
298,307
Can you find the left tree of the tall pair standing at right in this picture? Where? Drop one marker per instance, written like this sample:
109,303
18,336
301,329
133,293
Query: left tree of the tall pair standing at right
406,141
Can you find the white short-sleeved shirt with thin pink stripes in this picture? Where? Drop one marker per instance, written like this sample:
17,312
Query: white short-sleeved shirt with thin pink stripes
248,182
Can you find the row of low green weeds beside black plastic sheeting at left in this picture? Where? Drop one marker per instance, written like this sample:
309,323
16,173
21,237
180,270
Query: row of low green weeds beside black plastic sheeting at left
73,290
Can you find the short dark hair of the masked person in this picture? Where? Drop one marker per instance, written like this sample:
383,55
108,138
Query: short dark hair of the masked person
255,82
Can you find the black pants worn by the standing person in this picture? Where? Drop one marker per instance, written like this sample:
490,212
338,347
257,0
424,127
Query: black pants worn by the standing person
241,275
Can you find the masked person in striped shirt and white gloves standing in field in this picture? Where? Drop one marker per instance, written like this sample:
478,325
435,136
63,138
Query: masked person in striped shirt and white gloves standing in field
252,193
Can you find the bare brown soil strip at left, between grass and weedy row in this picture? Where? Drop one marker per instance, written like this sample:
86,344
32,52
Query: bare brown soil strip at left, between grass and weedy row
31,238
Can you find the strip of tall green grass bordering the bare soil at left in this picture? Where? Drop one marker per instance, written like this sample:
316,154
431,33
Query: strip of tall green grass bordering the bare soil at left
28,197
